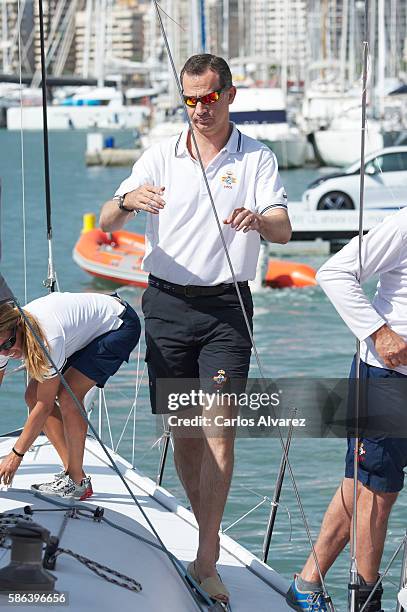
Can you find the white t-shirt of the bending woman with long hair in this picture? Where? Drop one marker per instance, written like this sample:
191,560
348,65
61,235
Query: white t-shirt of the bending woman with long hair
70,321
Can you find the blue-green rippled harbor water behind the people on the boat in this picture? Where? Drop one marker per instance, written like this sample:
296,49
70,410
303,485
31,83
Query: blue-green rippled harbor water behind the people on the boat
298,335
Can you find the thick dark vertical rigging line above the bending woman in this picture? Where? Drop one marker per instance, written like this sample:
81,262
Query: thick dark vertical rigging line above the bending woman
51,280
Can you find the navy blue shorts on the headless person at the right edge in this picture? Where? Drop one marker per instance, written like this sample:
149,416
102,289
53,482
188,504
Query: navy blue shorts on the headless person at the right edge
381,459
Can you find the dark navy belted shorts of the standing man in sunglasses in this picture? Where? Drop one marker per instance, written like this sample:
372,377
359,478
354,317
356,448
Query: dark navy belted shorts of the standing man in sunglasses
204,339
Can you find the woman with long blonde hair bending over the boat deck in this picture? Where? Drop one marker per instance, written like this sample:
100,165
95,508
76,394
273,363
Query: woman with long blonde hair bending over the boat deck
87,337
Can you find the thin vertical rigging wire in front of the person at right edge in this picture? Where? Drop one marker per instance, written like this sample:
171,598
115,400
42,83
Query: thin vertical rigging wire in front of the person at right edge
353,577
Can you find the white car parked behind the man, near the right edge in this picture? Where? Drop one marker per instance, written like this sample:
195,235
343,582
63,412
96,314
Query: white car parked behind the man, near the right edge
385,184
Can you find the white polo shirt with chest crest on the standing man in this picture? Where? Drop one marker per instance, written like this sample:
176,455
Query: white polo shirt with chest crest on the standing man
183,245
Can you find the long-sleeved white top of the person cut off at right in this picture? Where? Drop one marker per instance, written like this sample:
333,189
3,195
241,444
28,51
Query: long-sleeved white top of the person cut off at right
384,253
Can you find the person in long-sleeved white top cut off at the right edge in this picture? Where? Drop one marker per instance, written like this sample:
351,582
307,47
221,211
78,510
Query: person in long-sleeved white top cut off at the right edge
381,327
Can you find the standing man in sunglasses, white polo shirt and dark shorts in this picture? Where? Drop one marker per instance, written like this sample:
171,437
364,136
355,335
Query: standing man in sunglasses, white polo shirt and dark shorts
194,325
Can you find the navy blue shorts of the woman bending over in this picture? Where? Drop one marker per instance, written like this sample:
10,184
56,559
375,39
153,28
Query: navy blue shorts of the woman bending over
102,357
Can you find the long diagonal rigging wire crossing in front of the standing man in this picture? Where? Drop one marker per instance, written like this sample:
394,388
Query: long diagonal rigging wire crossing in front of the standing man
209,191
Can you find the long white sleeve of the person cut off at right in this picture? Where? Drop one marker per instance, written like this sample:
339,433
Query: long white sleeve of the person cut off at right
339,276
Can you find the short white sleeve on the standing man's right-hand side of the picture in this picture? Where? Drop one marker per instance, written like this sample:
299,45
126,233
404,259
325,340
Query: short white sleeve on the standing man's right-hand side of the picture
269,192
